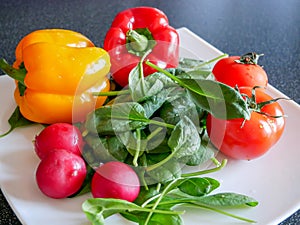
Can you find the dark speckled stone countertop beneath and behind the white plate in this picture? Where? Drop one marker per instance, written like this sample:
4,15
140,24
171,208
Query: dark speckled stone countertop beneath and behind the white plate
235,27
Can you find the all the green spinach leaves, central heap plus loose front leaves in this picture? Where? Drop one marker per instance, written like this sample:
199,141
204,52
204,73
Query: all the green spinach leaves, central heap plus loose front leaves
157,125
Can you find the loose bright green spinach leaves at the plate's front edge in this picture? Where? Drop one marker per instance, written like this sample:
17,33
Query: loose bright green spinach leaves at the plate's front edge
155,204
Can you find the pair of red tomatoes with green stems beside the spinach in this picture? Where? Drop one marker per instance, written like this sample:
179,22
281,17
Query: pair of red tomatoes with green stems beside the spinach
239,138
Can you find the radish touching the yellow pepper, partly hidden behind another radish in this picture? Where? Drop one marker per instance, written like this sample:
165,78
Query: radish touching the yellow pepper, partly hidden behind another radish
58,136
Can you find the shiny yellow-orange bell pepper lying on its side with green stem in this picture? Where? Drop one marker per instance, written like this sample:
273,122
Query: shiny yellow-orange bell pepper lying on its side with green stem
56,72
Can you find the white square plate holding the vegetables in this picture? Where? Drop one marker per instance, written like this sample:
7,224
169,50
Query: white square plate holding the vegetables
272,179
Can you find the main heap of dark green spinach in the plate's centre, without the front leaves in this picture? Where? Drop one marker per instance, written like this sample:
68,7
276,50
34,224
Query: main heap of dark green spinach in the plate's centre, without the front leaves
158,123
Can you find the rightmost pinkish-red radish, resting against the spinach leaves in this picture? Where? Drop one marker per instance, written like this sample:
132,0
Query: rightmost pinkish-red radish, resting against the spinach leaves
115,180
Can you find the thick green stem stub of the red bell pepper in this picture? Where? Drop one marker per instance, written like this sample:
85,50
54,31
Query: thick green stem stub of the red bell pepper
137,42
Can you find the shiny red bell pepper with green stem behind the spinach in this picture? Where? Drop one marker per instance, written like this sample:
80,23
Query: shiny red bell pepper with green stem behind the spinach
136,31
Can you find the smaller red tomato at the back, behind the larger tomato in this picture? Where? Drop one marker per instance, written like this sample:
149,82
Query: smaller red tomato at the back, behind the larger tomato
243,74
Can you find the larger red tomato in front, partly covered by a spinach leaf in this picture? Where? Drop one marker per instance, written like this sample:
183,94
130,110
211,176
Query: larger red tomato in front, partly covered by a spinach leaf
253,138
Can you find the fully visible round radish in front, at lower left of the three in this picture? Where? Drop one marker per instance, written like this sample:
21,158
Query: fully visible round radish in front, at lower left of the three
60,174
